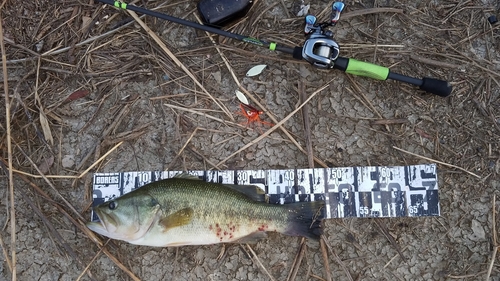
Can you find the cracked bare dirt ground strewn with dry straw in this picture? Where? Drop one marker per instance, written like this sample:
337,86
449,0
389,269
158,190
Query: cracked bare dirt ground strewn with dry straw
84,78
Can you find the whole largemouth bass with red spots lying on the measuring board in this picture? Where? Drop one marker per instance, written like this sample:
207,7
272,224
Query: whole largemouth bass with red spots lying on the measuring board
186,211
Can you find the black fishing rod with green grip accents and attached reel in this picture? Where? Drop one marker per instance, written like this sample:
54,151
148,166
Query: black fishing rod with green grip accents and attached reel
319,48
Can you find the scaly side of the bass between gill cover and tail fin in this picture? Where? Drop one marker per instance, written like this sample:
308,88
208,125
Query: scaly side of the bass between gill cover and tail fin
216,211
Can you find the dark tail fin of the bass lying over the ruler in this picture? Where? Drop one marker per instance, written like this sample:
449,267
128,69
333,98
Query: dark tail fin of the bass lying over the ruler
305,219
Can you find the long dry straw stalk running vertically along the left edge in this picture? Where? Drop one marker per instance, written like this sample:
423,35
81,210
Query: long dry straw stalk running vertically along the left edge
9,155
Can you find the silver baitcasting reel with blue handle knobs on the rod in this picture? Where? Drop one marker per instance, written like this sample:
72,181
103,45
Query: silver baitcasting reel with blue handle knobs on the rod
319,48
